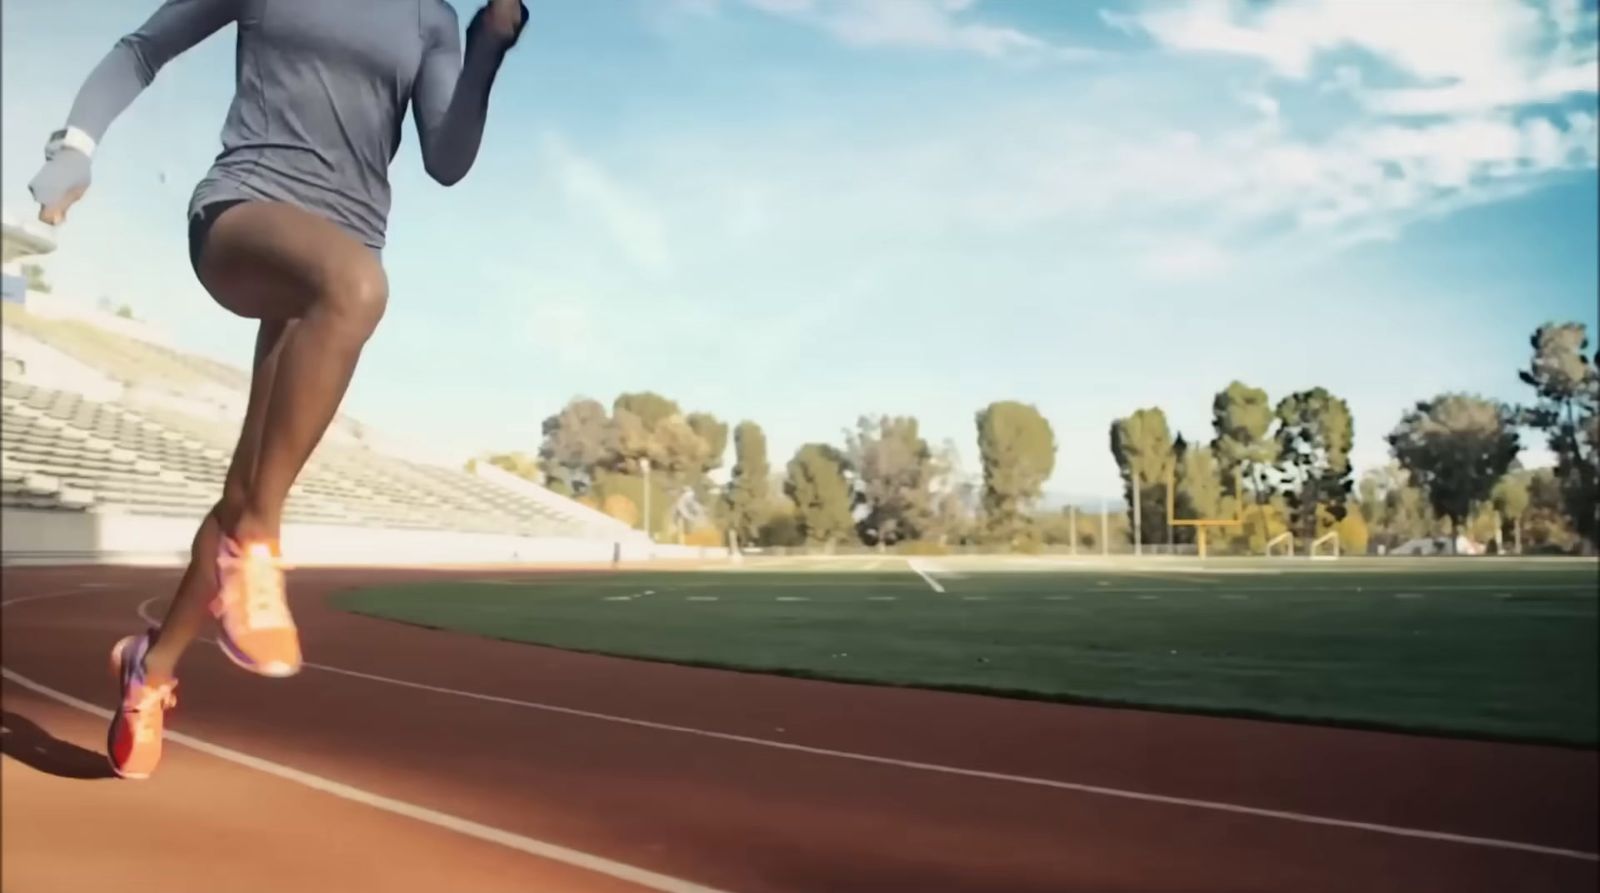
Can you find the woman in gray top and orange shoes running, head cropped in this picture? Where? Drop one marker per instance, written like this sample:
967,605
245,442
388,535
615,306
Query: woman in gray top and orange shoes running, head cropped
287,230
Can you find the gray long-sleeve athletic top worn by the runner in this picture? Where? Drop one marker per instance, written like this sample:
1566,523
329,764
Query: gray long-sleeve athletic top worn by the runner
322,90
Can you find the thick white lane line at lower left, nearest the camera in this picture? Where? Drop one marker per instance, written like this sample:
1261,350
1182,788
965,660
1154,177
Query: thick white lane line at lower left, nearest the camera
468,828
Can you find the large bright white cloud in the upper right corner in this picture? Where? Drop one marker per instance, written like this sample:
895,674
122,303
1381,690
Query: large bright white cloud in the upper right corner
1460,116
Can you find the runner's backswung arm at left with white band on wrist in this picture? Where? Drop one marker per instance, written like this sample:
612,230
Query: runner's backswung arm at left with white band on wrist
114,84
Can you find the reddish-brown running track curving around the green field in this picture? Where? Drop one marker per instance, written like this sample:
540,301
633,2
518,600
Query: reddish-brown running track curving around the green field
410,759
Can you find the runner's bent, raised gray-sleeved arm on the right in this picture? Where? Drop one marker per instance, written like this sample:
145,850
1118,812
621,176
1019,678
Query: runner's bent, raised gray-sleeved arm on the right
452,95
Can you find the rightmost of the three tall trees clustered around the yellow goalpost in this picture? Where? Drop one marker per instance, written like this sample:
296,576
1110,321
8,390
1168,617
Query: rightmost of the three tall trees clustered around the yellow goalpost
1314,441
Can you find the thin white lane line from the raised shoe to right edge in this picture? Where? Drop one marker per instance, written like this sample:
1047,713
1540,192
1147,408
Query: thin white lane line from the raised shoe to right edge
1214,806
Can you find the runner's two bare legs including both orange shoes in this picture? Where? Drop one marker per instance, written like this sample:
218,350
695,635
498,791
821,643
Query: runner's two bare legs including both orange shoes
319,295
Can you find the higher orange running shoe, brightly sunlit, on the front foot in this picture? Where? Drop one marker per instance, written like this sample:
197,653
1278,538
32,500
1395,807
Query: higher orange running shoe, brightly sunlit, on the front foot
252,612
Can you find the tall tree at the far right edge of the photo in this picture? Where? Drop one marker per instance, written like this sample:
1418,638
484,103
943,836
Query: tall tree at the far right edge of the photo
1567,410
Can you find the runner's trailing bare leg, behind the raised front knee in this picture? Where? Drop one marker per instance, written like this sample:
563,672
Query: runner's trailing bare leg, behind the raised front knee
190,609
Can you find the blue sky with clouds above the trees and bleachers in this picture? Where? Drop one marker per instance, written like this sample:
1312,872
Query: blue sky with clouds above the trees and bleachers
799,212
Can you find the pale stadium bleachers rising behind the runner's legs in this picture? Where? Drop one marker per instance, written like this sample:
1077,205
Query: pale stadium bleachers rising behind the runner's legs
140,455
